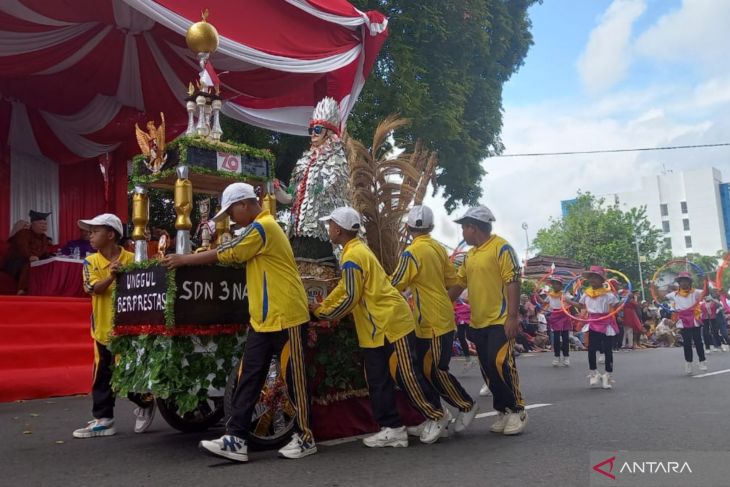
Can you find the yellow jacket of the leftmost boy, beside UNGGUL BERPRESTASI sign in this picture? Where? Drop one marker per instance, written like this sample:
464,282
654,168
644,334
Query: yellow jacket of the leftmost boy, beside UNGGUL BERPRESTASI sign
96,268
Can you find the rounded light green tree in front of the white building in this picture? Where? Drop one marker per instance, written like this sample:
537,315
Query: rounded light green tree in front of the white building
594,233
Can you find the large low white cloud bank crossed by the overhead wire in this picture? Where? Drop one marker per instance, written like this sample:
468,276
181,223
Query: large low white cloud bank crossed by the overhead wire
530,189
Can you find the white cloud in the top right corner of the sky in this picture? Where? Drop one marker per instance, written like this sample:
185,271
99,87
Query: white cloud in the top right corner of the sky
695,34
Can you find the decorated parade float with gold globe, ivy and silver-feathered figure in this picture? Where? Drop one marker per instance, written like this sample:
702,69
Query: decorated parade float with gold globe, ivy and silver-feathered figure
179,334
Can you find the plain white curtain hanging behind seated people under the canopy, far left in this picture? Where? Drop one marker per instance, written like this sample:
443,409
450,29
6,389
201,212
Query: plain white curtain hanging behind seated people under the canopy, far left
33,186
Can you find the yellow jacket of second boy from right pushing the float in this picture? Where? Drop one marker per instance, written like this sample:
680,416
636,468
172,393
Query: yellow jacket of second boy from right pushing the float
425,268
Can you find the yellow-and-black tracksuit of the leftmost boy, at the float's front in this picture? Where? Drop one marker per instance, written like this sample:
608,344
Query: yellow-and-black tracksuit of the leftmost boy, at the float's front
96,268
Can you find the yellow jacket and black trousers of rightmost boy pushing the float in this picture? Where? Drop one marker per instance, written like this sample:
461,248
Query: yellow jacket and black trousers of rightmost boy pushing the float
486,272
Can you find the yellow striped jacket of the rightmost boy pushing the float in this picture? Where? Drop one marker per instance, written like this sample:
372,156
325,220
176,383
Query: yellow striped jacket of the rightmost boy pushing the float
486,272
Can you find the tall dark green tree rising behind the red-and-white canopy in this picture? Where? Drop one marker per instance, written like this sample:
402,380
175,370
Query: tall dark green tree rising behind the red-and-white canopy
443,66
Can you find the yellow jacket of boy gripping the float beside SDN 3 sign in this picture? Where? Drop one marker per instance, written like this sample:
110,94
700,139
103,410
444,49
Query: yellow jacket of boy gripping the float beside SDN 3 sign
276,296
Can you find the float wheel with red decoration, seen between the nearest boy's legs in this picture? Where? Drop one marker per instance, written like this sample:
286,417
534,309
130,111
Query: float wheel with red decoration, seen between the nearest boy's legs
274,416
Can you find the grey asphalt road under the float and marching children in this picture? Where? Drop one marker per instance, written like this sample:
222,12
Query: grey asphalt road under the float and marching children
653,406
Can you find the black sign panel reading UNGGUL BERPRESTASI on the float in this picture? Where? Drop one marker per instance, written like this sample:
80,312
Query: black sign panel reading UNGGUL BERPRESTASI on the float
141,297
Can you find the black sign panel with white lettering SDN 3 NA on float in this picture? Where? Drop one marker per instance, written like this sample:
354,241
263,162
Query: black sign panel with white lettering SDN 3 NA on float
211,295
